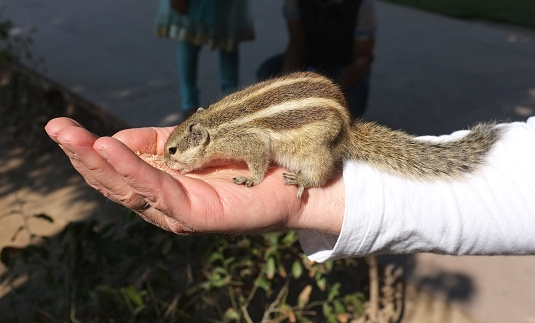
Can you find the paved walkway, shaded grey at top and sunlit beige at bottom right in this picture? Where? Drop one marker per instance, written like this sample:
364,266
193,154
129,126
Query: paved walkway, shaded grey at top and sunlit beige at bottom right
432,75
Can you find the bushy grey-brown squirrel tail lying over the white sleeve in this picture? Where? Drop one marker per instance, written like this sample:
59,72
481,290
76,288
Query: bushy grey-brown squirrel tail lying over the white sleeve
399,153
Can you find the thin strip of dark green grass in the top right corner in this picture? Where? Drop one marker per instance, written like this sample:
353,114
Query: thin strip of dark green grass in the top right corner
513,12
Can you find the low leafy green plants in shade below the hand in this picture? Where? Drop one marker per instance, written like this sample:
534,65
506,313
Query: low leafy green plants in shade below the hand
131,271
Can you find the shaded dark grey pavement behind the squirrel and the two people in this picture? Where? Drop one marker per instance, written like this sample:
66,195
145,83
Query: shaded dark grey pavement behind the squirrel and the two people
431,74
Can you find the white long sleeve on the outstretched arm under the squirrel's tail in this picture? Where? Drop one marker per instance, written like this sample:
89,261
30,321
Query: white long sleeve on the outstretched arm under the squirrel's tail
490,212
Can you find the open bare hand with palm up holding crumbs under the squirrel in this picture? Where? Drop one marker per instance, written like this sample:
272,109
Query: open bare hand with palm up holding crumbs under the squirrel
203,202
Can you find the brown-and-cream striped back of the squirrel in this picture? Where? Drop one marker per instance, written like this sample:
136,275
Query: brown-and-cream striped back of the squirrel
282,103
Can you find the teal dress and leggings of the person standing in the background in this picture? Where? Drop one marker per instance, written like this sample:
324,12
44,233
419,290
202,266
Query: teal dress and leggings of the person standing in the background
218,24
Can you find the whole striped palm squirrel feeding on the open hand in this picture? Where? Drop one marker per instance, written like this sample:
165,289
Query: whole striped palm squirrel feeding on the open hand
301,122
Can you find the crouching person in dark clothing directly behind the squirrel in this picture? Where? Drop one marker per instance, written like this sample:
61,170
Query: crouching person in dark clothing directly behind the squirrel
332,37
